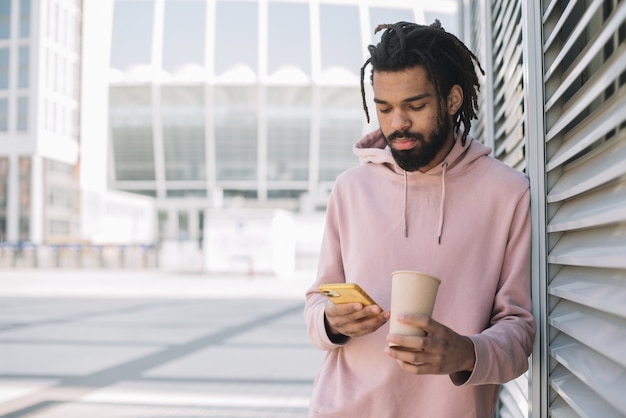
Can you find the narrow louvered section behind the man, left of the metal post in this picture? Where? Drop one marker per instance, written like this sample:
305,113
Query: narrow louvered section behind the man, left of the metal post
496,39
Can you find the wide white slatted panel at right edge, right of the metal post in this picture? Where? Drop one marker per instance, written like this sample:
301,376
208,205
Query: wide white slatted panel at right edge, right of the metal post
585,104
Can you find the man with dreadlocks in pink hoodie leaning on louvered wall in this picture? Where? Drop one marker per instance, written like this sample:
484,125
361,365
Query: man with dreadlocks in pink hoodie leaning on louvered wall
426,197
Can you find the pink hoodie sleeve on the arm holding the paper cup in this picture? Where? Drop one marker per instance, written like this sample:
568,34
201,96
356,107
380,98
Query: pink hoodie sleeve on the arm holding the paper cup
502,350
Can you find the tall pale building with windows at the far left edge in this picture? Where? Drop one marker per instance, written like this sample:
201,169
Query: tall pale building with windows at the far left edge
40,60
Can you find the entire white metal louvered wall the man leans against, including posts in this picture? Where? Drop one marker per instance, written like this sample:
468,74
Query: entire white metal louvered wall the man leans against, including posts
569,102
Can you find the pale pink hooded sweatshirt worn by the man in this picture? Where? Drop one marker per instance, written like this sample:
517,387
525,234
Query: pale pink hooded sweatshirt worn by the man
467,222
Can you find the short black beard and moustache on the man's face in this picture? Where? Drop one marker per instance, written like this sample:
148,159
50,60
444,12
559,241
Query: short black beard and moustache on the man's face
424,151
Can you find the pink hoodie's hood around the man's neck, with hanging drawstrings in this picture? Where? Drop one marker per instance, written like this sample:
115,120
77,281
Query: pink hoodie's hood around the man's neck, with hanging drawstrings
373,149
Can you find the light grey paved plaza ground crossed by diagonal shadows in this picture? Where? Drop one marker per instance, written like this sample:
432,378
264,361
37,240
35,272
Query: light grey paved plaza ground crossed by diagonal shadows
121,344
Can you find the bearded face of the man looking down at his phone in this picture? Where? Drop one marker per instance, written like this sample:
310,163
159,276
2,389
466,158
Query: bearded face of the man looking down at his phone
412,120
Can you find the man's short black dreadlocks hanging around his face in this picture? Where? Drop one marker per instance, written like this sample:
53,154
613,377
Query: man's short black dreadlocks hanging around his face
447,62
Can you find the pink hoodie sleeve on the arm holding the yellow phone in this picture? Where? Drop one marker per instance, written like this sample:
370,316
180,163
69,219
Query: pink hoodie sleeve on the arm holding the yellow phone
330,270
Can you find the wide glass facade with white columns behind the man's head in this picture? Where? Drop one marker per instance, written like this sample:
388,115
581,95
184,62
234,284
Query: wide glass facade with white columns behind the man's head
254,102
